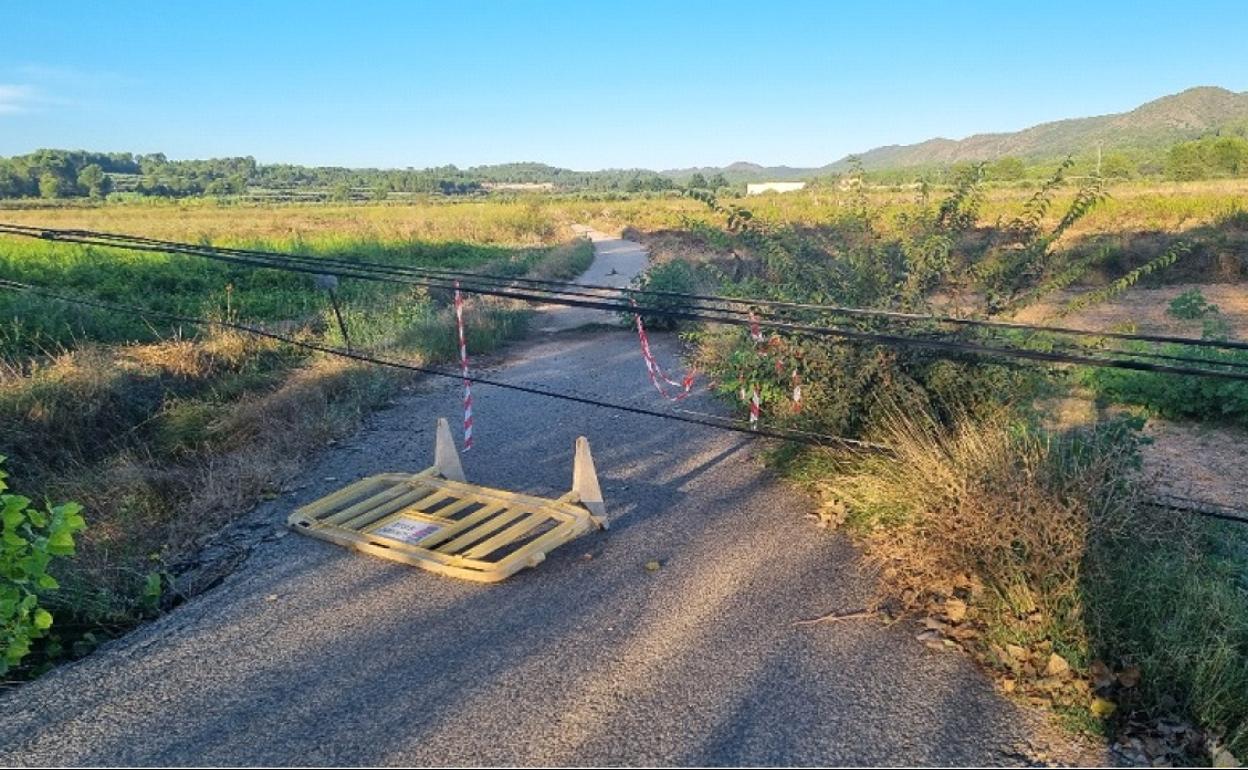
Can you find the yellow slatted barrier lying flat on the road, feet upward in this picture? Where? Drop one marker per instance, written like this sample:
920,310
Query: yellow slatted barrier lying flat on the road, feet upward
437,521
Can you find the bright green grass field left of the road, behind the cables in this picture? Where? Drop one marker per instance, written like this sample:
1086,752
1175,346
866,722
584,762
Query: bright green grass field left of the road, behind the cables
194,286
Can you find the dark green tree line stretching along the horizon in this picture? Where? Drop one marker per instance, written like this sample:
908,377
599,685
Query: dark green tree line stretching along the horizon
77,174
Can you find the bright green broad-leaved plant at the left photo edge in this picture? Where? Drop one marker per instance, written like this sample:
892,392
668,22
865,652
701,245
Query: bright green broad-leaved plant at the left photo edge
32,540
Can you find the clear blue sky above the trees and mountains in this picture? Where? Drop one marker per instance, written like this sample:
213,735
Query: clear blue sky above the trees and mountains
586,85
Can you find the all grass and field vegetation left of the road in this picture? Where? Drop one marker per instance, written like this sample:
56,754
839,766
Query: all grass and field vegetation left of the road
164,434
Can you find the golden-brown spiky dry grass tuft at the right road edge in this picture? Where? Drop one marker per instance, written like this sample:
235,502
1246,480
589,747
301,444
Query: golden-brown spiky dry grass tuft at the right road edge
1009,509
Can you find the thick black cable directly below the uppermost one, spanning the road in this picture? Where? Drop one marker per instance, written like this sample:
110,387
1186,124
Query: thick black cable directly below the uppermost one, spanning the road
796,329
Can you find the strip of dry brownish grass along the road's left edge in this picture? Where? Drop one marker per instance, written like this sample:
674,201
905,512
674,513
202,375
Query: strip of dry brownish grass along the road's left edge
147,512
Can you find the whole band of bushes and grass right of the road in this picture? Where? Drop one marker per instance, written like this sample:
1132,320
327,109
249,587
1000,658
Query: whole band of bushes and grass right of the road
1023,540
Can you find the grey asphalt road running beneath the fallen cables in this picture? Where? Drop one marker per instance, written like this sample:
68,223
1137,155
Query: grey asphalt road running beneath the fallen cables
314,655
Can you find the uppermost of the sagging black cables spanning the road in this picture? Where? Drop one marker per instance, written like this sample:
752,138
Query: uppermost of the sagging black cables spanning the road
54,234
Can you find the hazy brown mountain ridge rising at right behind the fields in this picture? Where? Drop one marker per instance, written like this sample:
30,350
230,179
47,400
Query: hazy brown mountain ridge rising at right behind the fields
1151,127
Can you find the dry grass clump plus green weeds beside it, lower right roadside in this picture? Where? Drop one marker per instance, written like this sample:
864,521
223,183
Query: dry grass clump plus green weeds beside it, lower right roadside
1033,551
